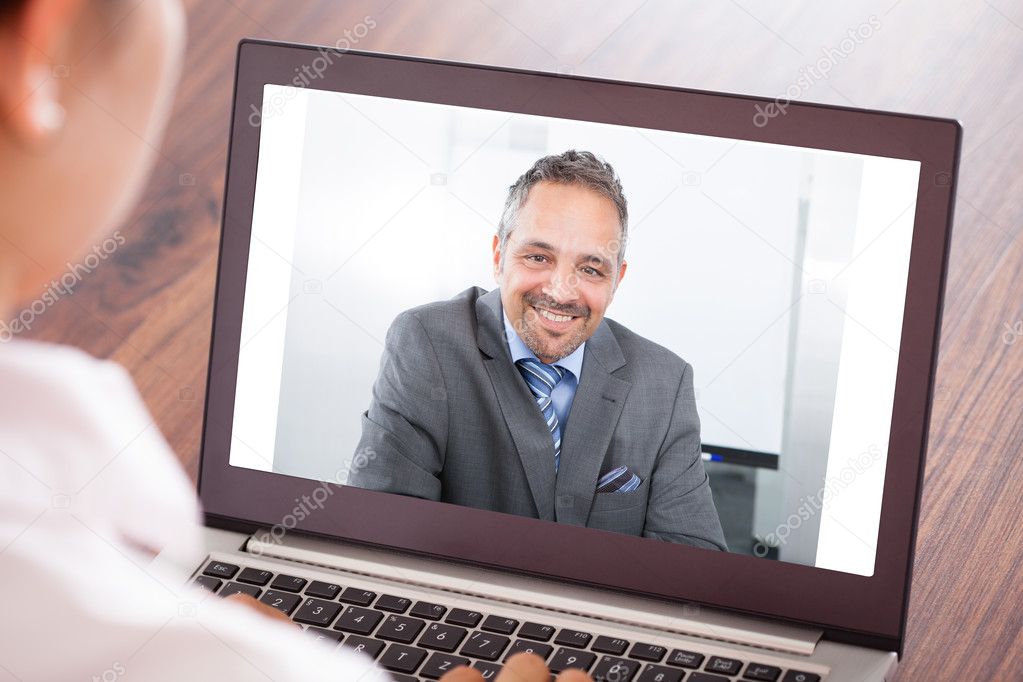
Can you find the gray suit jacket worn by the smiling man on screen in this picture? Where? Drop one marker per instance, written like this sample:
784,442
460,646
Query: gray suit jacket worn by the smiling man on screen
452,420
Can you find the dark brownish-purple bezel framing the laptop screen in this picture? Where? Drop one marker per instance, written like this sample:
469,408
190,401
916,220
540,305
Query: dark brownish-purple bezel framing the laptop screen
870,610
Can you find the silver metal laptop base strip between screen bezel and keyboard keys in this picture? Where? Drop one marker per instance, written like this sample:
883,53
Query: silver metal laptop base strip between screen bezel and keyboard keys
676,626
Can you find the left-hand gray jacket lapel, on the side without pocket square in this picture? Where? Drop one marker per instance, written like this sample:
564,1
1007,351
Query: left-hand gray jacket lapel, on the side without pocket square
525,422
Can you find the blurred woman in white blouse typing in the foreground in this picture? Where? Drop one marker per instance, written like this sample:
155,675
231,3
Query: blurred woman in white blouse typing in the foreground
90,491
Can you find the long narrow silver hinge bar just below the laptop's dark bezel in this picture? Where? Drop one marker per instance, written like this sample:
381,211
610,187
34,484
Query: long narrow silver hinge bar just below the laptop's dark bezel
548,595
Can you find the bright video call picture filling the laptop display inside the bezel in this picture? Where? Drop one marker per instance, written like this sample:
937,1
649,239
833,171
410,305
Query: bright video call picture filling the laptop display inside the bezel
683,338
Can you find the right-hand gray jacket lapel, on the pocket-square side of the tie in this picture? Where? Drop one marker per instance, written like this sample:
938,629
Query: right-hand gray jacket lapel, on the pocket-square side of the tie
596,410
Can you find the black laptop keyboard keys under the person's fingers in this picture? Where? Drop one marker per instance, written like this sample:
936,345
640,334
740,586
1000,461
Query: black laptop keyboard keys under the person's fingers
421,641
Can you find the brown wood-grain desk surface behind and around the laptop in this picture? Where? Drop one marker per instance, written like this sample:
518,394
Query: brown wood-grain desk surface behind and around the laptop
150,307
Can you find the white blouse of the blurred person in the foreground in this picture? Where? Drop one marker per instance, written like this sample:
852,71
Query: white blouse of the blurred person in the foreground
90,492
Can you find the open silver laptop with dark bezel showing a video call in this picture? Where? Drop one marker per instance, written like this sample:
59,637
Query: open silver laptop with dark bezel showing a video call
741,441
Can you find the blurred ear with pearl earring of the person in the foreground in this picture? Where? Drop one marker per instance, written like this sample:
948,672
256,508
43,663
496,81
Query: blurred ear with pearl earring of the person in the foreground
35,40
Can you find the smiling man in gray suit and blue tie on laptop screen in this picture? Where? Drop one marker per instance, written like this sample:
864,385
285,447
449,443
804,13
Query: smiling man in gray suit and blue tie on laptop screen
526,400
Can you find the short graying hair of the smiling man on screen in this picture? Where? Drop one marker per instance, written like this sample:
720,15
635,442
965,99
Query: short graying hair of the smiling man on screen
570,168
